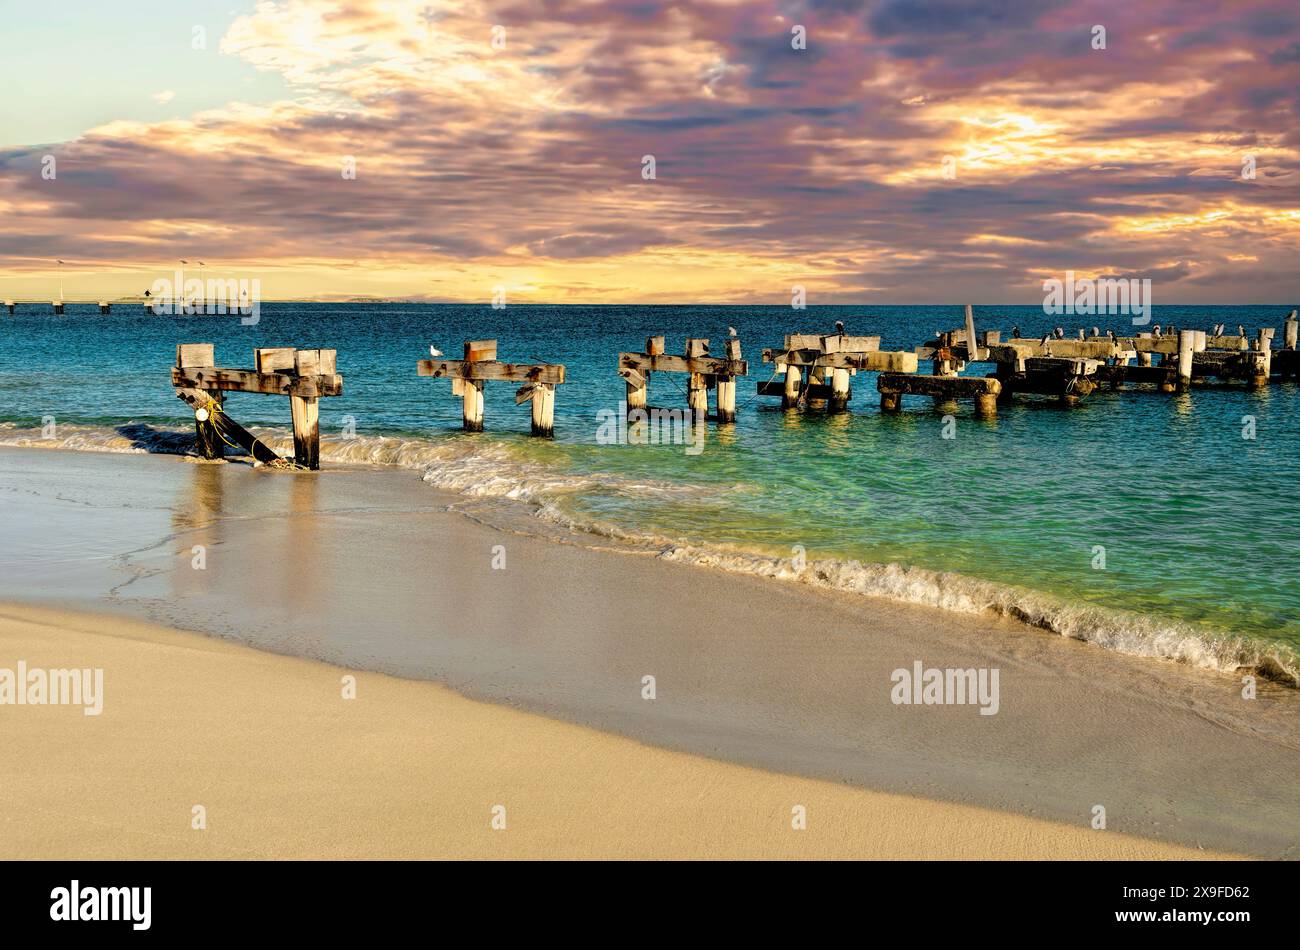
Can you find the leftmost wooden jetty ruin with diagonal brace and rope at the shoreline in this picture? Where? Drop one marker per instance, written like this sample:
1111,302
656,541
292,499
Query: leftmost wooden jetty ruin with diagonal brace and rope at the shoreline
305,376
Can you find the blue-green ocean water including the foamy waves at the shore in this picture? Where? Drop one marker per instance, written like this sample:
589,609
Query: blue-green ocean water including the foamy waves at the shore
1012,517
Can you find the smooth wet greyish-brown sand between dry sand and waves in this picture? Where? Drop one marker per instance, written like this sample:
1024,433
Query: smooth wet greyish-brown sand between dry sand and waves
366,570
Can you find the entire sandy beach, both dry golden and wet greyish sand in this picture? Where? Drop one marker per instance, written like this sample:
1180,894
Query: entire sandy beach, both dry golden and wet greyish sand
768,696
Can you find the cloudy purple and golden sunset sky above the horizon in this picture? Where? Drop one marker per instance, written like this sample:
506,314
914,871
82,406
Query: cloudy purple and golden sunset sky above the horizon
634,151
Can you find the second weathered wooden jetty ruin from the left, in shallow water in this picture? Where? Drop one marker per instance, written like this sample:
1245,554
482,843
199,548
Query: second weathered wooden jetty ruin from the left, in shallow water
480,365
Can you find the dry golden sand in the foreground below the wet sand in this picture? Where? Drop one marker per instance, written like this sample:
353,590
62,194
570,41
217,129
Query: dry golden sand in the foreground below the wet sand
285,767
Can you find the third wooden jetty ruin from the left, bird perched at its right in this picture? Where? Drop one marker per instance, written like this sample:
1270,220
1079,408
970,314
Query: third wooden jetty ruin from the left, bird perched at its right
705,372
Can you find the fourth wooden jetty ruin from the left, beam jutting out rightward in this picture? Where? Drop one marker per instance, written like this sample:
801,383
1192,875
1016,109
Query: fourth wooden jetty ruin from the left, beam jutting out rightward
818,368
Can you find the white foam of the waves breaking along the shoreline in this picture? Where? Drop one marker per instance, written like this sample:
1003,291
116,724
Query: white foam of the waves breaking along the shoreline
488,470
